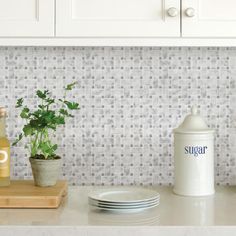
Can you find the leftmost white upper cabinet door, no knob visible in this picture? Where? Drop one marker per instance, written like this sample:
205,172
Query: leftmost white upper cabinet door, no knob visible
26,18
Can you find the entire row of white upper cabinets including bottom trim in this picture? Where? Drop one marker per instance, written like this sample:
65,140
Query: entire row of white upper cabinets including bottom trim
118,22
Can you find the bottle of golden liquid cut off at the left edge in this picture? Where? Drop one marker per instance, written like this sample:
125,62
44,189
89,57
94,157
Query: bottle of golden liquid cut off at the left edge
4,151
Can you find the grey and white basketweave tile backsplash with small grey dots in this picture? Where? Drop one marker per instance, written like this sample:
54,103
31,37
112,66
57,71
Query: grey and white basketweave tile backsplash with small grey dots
131,99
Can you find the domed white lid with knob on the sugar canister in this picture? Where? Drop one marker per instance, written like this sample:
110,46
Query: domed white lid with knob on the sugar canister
193,123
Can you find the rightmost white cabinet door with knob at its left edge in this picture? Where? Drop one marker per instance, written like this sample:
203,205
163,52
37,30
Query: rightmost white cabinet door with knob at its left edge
209,18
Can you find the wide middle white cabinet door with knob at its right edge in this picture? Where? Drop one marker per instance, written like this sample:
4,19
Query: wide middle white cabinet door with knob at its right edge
118,18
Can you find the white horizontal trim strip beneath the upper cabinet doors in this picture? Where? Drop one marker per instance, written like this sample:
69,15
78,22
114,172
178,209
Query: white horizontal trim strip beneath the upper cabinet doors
120,42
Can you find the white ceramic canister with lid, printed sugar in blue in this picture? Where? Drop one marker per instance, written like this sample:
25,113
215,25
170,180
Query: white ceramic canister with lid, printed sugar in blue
194,157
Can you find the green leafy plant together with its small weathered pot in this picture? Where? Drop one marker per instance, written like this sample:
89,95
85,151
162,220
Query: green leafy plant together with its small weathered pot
40,124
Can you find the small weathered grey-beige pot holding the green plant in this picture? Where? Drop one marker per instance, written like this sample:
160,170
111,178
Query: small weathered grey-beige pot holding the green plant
45,172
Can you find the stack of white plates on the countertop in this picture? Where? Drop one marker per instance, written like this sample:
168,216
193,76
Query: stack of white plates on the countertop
124,199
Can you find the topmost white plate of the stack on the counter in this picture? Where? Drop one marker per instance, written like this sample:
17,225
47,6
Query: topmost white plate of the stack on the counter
124,195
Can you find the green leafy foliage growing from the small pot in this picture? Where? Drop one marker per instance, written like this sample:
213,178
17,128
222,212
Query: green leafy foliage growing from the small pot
42,122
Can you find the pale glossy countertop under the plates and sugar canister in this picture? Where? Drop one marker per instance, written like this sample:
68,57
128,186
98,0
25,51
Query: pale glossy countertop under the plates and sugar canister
214,215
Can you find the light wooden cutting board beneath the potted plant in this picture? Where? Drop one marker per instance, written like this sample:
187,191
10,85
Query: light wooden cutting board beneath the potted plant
24,194
